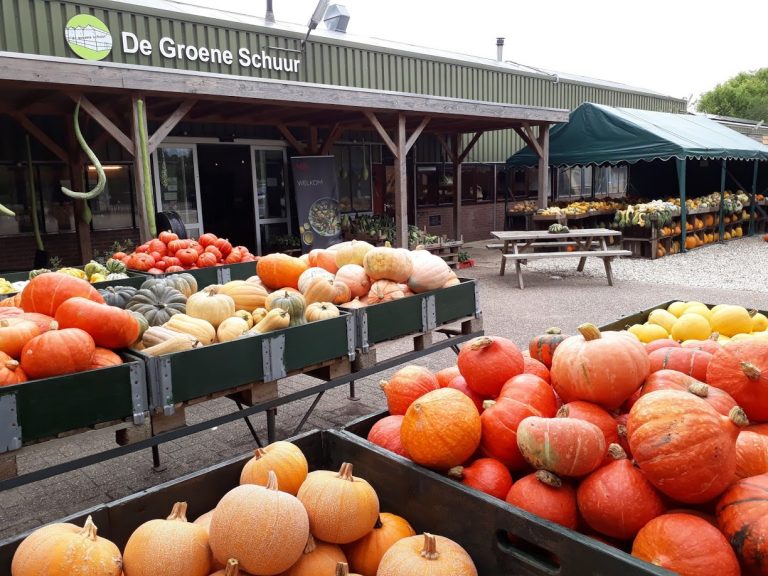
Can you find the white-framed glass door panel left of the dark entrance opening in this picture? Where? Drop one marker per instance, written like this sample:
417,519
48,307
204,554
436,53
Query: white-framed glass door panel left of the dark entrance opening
177,185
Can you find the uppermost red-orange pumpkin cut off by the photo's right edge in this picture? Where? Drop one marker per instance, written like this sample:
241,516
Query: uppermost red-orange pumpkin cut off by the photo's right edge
741,369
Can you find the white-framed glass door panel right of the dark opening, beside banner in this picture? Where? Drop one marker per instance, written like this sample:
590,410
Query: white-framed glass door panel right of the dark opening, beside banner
273,214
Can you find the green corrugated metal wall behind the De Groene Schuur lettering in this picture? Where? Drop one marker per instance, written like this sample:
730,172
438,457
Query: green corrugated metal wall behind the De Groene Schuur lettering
37,26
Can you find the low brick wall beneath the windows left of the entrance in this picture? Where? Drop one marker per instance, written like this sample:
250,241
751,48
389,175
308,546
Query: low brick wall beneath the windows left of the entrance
17,253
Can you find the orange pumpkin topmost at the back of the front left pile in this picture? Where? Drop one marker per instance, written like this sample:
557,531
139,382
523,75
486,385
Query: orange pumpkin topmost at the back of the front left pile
285,459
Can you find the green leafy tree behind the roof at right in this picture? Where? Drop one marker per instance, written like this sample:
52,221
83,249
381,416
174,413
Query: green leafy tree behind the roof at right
743,96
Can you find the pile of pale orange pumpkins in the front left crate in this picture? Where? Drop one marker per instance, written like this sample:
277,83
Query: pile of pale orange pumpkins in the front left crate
281,519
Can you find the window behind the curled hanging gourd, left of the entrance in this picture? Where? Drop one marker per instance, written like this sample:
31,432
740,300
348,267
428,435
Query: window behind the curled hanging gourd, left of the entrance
113,208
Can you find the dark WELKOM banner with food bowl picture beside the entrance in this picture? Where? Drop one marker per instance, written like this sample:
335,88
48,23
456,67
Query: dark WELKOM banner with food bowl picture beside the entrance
317,201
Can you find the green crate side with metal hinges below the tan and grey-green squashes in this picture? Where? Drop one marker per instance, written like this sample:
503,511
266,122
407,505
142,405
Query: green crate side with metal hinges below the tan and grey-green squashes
267,357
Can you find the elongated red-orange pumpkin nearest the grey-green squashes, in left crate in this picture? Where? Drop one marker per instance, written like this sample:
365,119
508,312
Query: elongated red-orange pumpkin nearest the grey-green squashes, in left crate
109,326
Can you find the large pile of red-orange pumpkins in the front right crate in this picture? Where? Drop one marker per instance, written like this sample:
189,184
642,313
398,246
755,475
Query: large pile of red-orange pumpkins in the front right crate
661,452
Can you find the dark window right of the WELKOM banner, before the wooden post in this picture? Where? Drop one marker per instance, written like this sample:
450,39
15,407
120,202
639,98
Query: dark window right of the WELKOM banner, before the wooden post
355,180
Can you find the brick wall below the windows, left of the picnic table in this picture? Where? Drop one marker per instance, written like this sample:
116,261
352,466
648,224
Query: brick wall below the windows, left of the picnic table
476,220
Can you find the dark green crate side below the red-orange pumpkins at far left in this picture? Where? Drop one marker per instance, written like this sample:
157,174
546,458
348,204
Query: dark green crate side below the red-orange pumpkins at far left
51,406
